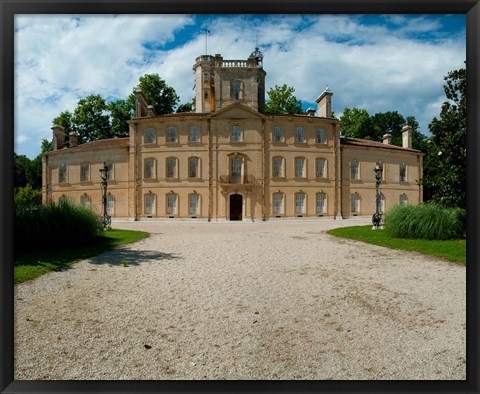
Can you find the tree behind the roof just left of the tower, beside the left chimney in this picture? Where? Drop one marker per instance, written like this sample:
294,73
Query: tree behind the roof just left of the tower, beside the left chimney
162,96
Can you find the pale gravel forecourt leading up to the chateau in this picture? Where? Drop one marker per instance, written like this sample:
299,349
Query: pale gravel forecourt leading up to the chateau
267,300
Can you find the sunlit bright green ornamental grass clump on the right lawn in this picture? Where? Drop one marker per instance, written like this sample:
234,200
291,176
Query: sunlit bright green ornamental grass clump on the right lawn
426,221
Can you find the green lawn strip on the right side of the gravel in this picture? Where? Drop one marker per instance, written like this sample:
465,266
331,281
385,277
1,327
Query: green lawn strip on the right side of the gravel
453,250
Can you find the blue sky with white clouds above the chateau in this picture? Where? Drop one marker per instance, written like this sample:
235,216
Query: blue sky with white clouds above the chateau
376,62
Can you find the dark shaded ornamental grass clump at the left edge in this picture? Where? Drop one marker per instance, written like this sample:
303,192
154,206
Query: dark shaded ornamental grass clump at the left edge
55,225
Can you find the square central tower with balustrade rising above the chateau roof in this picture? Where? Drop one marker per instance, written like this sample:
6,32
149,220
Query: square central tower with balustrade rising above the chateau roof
220,82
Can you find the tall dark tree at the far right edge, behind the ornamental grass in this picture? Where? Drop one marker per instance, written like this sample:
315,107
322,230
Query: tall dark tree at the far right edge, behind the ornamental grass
445,180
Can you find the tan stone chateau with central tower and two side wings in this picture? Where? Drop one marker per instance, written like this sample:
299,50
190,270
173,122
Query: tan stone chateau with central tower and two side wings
231,161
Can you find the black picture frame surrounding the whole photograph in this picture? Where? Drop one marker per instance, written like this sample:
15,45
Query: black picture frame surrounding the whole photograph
9,8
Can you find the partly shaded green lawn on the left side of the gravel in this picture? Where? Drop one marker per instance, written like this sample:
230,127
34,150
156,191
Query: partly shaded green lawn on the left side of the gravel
32,264
